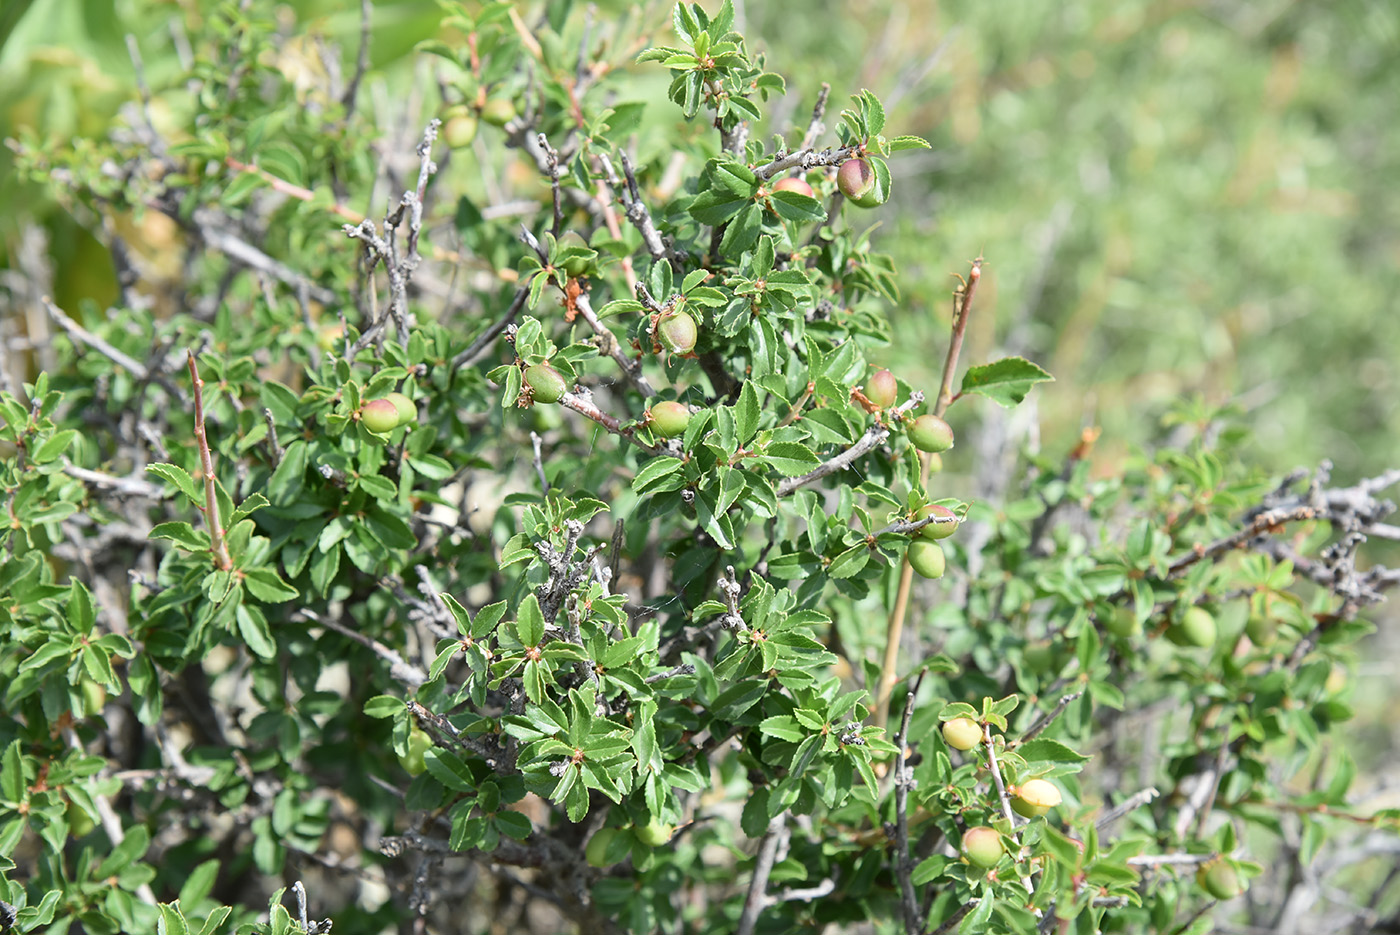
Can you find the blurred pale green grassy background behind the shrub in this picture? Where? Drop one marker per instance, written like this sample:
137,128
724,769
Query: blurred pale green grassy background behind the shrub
1174,198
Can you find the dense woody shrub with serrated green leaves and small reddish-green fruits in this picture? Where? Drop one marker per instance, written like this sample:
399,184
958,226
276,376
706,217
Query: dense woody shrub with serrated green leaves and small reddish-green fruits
645,677
